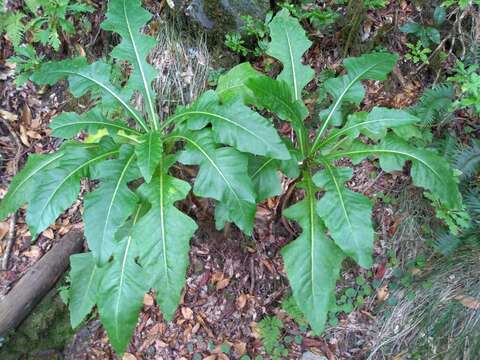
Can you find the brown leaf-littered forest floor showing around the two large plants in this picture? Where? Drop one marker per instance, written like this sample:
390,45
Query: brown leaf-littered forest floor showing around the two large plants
234,281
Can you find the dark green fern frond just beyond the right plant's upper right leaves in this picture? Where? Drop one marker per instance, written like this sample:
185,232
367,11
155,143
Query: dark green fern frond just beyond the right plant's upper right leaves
433,105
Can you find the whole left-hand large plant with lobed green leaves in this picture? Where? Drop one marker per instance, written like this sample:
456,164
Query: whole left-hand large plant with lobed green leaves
138,239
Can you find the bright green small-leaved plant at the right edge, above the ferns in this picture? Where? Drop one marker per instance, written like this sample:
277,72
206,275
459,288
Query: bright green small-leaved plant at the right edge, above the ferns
467,80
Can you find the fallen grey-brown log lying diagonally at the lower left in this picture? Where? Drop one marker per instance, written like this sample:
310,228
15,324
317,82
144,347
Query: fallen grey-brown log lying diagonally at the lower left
36,283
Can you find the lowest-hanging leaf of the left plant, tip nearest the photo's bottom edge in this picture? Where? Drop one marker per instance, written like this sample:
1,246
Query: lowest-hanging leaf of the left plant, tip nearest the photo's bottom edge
121,290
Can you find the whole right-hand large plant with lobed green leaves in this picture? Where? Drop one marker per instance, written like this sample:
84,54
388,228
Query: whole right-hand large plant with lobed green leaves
338,224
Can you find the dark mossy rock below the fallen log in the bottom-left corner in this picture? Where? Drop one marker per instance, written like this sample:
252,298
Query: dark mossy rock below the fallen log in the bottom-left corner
43,334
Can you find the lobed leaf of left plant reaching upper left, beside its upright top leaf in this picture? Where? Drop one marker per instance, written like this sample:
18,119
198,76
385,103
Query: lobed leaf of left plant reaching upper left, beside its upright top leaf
84,77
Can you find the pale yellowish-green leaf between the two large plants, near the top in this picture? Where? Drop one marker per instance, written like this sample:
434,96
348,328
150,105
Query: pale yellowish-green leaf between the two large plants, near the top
231,86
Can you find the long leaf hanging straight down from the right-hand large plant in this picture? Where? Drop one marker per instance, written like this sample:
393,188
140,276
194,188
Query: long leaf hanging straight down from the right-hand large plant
312,261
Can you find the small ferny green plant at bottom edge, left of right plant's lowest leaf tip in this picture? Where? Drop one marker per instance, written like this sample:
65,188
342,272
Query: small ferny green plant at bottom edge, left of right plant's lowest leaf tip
270,330
